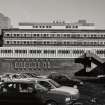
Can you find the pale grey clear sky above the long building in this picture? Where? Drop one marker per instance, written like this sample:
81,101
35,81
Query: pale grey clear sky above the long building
49,10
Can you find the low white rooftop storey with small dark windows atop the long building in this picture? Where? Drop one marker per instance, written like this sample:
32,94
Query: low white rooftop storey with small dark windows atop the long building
81,24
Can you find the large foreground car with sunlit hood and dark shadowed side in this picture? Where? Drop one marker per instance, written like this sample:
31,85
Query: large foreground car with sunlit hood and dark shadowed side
39,91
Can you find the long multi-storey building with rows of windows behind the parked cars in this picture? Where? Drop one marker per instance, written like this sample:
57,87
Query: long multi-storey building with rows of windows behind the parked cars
50,45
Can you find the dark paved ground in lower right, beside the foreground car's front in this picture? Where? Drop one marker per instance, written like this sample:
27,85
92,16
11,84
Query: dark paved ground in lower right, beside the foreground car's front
92,94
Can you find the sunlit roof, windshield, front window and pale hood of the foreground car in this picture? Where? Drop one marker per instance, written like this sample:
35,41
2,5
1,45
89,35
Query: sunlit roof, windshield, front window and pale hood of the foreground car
53,86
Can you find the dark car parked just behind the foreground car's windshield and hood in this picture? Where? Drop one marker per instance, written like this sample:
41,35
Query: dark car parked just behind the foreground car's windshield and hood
63,79
